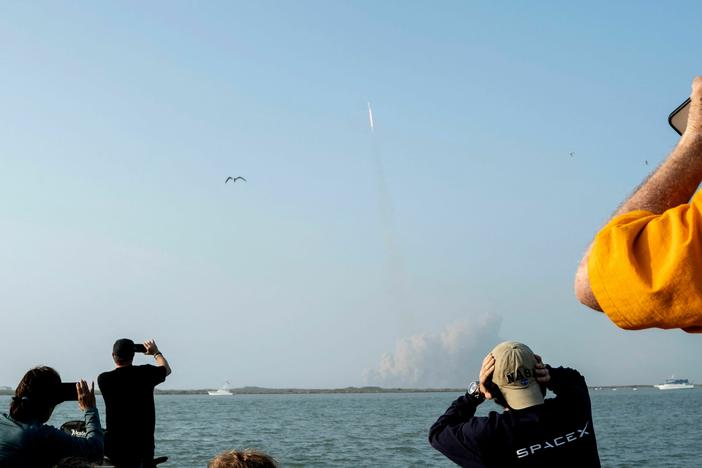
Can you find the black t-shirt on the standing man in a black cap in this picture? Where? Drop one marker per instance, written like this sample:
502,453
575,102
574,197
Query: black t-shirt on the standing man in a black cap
129,402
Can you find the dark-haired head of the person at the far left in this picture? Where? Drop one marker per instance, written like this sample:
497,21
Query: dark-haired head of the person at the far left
36,395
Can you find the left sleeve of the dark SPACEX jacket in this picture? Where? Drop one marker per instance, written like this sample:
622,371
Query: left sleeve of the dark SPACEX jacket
453,434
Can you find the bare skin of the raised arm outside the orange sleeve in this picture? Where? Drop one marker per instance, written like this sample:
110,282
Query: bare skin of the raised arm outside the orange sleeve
672,184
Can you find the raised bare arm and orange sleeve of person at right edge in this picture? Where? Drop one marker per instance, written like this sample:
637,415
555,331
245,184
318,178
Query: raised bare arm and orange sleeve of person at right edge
644,268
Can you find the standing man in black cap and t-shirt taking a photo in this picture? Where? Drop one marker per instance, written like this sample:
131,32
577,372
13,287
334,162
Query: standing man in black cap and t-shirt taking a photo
128,392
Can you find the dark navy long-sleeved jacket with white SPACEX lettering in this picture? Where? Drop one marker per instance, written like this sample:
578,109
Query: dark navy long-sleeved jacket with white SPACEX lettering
557,433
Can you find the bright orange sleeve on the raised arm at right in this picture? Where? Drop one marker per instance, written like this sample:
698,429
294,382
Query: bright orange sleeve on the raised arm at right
646,269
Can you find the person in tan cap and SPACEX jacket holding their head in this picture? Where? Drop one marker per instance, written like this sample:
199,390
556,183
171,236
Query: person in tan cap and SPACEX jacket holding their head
532,431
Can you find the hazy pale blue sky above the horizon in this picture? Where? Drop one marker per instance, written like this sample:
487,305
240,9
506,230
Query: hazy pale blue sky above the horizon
395,258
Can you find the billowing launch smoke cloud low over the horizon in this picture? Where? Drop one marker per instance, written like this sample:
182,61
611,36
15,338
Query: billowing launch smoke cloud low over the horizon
451,358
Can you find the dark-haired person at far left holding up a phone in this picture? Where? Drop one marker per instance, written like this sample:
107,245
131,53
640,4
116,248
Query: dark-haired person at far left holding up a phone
25,439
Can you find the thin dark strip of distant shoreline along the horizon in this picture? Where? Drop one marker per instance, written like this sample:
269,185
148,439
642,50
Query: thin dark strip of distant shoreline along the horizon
351,390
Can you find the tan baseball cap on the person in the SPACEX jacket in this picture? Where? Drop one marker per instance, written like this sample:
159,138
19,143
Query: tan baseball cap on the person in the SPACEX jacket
515,374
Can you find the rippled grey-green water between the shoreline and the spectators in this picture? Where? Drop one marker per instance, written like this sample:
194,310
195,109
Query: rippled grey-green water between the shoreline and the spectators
647,427
